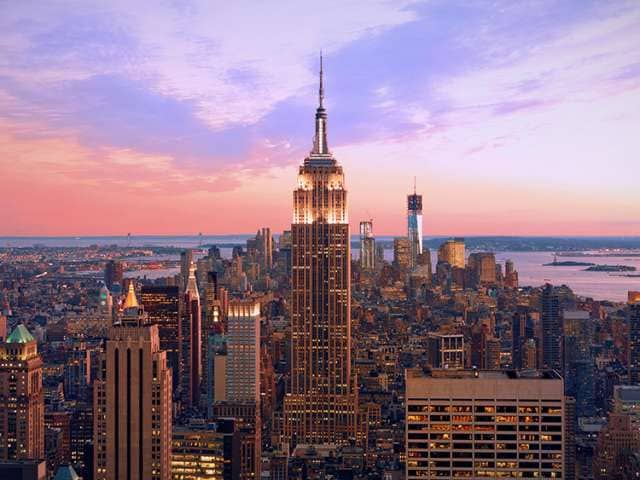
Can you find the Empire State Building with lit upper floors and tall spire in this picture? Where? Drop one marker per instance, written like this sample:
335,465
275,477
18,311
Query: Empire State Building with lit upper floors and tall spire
321,405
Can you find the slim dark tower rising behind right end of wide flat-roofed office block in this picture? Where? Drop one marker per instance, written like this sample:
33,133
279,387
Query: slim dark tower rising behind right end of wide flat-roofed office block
551,329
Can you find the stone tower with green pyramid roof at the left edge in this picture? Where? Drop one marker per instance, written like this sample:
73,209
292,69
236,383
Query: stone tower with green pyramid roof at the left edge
21,398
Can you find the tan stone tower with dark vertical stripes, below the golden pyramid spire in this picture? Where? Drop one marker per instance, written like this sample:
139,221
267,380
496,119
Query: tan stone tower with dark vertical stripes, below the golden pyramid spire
132,407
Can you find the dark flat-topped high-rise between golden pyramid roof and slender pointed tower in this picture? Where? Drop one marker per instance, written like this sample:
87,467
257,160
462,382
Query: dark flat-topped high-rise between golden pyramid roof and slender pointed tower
162,305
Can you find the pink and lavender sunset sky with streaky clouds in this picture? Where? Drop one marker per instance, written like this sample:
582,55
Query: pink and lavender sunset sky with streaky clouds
515,118
